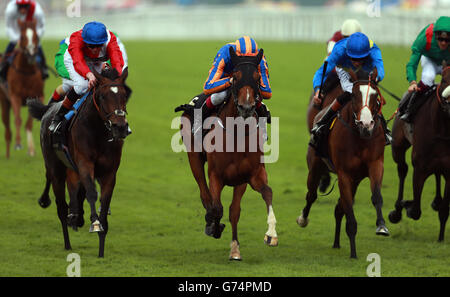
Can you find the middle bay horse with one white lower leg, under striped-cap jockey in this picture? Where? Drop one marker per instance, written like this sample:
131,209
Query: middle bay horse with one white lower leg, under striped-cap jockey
235,168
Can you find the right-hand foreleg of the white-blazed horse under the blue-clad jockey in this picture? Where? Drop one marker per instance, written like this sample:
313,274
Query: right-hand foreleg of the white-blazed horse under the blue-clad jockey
376,177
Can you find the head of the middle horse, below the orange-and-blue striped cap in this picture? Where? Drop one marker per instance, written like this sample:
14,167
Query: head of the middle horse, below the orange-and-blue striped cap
246,80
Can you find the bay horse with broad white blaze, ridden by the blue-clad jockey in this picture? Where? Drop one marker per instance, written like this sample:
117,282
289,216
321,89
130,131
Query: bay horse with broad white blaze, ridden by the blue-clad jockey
356,149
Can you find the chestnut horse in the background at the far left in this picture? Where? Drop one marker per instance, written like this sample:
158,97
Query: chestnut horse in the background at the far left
24,80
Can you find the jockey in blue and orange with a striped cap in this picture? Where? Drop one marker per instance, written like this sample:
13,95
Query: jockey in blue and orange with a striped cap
217,86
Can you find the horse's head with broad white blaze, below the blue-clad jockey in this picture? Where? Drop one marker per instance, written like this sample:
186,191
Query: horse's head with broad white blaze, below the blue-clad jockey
365,103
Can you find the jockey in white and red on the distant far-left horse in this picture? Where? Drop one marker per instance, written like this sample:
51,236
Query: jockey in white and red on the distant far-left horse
24,10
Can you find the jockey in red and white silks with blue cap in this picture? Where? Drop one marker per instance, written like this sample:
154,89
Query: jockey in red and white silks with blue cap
85,50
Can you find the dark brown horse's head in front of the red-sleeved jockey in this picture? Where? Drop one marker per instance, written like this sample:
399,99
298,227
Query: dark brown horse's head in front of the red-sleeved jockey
110,99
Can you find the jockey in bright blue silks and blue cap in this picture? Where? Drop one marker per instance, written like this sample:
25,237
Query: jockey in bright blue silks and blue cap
355,52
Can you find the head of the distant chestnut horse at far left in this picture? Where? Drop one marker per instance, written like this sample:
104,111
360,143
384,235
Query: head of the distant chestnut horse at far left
29,40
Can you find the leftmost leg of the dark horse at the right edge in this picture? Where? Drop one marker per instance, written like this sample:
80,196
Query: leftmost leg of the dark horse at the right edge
399,147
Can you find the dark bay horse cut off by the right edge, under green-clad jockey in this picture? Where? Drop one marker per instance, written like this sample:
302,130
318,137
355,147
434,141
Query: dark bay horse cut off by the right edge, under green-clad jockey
430,154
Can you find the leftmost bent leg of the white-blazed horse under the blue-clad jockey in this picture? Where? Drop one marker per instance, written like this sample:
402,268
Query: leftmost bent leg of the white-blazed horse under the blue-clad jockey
314,177
